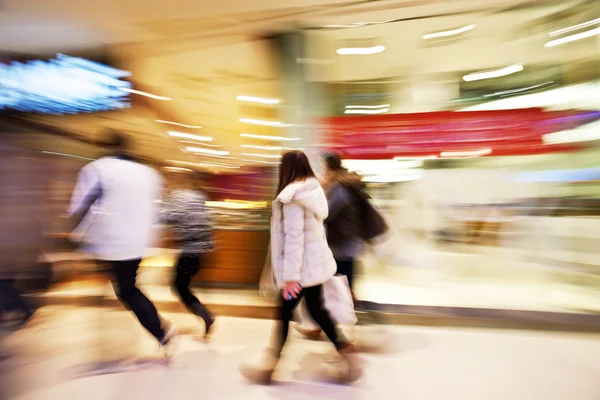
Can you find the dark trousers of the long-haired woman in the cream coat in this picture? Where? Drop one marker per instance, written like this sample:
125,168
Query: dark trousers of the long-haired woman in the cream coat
314,302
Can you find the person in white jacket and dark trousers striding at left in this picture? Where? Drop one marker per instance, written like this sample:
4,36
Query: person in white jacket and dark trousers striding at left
118,196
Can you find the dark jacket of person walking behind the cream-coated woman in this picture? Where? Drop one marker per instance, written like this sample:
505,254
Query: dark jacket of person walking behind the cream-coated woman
343,222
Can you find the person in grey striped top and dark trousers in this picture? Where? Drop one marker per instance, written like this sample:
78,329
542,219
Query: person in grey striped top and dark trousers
185,210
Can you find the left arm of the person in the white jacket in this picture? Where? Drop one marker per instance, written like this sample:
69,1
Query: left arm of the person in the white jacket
87,190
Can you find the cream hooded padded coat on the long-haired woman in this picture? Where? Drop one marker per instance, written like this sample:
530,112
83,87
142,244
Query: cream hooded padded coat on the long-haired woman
299,249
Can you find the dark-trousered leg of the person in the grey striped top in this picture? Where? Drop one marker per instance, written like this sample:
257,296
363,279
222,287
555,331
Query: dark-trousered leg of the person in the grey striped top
187,266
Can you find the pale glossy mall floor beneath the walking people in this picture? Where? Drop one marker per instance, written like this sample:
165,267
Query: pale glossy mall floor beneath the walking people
41,361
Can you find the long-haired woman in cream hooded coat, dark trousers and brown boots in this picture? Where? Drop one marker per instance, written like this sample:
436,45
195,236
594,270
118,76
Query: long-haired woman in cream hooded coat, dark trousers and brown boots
301,262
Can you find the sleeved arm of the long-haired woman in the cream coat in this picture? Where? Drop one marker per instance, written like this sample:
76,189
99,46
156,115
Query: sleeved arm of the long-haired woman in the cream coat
293,248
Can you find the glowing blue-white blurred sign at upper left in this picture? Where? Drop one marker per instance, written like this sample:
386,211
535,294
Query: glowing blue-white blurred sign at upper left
63,85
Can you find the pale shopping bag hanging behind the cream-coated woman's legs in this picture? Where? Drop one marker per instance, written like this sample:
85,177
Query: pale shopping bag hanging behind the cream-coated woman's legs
338,300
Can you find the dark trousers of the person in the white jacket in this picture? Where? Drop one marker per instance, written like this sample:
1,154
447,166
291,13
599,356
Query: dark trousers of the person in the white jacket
124,282
